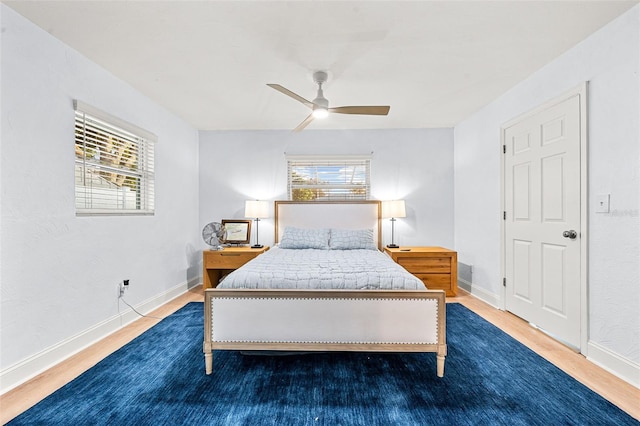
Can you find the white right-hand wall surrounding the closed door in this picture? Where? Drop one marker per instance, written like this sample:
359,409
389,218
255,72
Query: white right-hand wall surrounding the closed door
610,61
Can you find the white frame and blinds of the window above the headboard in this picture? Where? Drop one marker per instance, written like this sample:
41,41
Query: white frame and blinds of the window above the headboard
296,162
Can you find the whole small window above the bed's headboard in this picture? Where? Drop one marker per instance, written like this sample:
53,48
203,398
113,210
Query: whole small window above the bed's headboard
316,178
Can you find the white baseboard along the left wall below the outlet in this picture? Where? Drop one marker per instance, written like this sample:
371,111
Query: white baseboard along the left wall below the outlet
30,367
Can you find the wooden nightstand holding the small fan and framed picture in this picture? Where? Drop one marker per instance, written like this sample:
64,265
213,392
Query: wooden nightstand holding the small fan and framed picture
217,263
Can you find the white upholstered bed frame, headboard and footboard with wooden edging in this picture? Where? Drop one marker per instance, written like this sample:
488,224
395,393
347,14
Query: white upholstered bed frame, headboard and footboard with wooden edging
326,320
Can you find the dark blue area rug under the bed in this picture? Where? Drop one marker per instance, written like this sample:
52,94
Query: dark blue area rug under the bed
158,379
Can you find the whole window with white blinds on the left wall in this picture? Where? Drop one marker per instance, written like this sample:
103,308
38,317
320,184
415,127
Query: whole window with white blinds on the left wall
114,165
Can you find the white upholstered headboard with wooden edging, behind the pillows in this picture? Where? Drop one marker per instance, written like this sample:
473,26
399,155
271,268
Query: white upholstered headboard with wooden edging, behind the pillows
329,214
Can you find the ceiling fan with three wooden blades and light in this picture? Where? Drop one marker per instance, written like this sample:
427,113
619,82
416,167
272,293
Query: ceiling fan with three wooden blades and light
320,105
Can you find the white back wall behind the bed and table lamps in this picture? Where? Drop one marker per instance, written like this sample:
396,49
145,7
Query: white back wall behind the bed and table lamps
415,165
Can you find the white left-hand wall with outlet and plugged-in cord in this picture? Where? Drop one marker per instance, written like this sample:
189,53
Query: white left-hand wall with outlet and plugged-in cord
59,273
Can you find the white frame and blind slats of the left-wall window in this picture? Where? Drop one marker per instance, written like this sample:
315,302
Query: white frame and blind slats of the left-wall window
143,174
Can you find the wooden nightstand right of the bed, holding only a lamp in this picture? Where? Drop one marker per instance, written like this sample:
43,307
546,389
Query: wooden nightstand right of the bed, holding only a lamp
437,267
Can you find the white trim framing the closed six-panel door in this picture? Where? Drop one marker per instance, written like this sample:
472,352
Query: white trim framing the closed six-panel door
581,91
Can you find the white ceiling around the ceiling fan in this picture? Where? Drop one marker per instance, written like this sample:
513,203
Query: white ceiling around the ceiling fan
434,62
